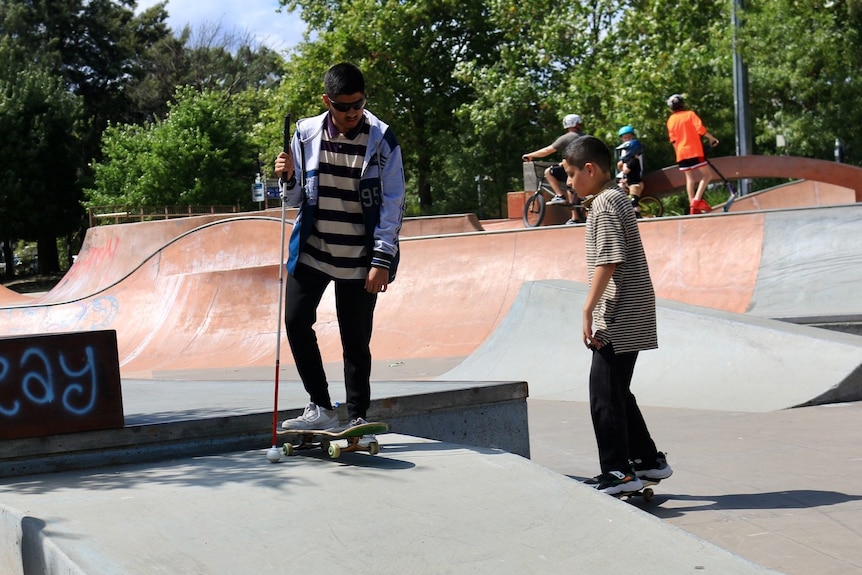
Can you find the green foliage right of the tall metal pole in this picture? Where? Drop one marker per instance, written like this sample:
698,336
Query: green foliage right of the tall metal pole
805,63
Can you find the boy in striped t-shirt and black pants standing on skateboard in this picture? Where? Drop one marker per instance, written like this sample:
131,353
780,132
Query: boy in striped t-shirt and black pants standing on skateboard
619,320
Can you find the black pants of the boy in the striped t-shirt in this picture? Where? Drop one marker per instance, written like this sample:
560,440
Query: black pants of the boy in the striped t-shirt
621,432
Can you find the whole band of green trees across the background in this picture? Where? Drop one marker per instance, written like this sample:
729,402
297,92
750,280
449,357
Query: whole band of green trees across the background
468,87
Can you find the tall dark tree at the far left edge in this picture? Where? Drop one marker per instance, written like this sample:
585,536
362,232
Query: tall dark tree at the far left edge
81,51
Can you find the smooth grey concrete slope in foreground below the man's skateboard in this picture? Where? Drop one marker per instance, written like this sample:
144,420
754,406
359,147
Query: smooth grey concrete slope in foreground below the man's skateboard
419,507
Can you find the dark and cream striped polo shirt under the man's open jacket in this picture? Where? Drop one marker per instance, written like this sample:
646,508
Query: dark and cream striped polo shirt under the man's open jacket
336,246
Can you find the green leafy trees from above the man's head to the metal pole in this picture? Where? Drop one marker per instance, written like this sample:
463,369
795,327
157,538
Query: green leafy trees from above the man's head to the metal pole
496,78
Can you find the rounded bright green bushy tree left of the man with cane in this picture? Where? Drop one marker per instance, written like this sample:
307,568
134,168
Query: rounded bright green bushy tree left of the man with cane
201,153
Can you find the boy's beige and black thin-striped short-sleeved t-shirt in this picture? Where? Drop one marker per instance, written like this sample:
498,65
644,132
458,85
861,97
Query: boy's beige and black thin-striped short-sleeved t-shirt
625,314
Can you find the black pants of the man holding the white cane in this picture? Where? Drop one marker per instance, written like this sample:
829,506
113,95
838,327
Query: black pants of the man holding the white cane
355,311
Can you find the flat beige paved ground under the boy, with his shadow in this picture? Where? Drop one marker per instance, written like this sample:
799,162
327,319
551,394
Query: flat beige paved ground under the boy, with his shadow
782,488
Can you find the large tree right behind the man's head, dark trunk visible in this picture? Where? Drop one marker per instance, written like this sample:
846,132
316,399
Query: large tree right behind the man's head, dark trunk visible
409,52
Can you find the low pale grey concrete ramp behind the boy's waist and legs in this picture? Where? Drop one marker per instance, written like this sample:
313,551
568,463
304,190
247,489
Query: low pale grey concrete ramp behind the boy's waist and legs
707,359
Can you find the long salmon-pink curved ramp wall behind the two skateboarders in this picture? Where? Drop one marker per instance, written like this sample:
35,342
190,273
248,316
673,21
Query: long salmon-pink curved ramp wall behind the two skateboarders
208,298
